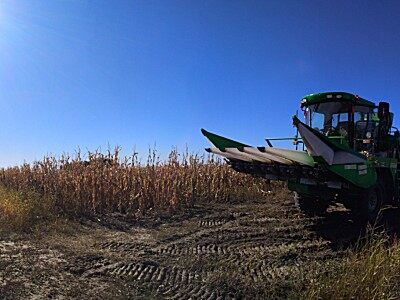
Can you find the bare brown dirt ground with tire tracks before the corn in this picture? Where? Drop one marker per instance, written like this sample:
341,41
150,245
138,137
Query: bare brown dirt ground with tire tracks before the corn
223,251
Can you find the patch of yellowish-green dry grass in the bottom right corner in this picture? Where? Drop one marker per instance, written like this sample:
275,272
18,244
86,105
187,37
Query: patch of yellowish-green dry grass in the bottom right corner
372,272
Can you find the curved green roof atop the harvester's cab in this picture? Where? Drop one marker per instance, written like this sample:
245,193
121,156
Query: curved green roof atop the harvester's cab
335,97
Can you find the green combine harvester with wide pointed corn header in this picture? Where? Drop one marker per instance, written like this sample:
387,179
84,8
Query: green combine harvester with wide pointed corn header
350,155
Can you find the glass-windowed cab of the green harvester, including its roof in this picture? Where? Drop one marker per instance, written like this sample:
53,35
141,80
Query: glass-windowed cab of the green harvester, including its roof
352,121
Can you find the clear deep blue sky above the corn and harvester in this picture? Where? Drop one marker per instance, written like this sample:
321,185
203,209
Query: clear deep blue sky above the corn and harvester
138,73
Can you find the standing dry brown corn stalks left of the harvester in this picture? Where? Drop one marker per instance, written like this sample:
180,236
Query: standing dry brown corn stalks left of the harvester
103,183
